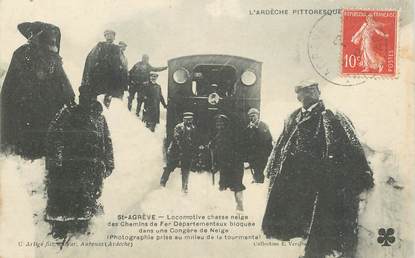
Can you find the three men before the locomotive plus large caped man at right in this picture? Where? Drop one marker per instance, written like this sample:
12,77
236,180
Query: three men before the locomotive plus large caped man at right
317,169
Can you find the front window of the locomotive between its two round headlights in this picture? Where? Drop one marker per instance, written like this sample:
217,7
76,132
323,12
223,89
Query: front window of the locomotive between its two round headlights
214,78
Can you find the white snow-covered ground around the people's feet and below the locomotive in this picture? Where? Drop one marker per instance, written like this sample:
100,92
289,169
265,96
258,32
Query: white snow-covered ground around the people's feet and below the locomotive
133,188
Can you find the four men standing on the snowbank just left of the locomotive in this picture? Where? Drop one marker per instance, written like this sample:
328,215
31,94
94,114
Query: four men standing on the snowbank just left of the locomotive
106,72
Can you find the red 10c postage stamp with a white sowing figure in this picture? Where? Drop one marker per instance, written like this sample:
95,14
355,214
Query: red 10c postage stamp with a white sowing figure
369,42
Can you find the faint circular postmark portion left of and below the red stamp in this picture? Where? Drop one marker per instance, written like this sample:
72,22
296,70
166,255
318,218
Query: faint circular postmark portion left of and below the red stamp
324,45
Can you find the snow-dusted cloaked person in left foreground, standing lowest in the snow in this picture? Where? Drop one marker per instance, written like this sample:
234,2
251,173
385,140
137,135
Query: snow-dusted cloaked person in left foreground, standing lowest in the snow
79,157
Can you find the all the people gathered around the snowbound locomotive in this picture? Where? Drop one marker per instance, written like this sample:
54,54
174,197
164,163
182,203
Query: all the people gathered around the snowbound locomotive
317,168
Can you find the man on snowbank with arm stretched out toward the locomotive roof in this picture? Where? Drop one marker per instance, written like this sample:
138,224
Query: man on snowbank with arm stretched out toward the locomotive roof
139,75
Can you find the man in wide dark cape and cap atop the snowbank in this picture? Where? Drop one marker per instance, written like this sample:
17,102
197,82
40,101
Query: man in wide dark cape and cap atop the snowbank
104,71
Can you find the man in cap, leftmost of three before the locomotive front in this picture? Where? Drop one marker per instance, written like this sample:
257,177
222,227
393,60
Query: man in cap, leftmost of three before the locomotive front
181,150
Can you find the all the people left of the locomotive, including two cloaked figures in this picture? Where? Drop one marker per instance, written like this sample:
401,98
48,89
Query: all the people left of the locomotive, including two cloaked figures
40,118
